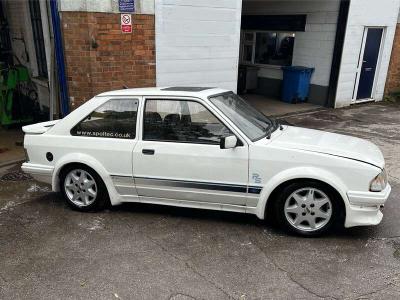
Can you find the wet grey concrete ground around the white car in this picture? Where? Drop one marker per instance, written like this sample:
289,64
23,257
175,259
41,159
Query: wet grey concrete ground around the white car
48,251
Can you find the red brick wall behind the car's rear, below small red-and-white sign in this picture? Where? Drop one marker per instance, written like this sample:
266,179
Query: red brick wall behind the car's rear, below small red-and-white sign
99,57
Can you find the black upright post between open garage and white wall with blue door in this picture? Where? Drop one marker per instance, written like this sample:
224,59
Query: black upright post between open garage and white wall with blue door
338,51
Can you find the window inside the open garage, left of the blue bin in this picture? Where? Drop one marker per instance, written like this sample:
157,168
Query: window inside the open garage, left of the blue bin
268,48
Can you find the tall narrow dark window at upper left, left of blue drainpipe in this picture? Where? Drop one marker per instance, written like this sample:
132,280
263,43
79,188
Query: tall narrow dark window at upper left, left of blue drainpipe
38,39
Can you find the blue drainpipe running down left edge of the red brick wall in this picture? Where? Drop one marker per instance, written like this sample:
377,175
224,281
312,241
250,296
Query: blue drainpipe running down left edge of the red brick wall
59,53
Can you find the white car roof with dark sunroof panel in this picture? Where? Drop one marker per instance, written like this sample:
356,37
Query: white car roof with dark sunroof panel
201,92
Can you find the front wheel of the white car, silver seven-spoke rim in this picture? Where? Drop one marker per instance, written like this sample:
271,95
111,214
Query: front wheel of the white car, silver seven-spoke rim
307,208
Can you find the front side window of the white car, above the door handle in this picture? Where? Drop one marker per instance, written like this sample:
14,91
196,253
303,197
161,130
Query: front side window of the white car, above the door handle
181,121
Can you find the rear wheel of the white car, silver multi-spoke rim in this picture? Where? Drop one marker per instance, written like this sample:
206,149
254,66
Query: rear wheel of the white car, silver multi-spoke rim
83,189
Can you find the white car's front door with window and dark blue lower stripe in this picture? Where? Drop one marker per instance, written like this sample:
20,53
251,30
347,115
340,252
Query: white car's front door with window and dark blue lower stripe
179,156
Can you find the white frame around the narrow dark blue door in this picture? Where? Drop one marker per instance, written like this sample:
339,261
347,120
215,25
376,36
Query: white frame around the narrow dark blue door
354,99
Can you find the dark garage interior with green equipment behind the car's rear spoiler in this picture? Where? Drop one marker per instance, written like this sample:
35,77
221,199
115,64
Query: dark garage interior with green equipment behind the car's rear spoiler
27,71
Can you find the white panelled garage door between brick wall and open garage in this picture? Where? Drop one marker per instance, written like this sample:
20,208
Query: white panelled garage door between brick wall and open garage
197,42
